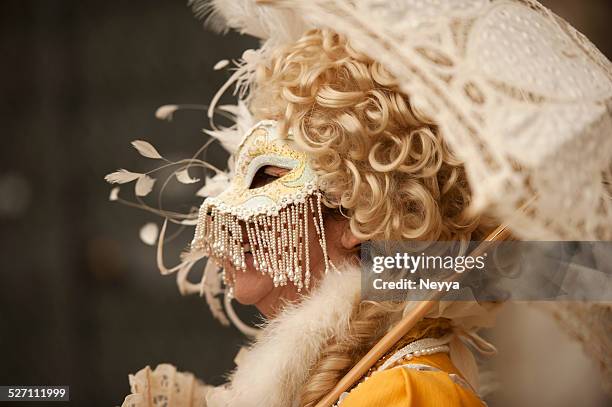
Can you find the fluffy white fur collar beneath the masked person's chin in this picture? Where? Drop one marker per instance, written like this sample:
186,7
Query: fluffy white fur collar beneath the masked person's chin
272,372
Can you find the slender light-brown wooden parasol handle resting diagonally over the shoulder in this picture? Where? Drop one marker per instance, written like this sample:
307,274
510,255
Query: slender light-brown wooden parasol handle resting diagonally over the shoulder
401,329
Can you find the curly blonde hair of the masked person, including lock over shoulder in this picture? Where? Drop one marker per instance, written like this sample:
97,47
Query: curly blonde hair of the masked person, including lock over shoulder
380,160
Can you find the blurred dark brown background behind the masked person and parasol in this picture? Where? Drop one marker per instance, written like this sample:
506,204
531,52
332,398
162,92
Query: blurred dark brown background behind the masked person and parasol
81,301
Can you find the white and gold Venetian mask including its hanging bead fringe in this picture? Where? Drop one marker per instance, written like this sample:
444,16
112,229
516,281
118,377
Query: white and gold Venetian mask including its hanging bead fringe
270,221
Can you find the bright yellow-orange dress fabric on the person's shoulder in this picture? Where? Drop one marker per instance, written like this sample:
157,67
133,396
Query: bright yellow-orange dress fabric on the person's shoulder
440,385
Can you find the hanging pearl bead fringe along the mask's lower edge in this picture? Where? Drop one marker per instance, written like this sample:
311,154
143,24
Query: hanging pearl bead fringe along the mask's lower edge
277,241
